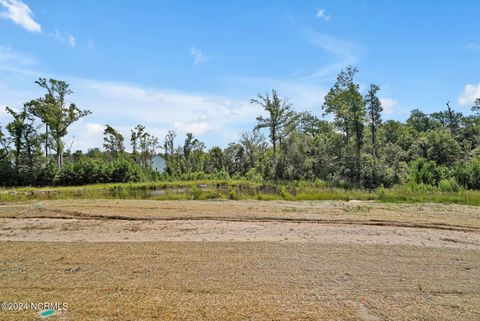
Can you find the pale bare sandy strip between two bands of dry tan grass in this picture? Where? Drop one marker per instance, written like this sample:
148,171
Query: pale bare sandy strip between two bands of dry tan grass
207,230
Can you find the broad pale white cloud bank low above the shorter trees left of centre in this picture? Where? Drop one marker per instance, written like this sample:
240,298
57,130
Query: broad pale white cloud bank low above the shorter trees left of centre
124,105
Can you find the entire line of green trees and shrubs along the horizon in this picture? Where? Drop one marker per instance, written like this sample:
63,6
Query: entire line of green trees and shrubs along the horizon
349,146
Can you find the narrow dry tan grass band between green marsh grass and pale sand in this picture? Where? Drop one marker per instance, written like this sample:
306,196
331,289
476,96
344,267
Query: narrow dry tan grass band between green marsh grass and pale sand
427,215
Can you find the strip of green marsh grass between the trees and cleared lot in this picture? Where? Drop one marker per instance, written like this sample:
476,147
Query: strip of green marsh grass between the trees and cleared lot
239,190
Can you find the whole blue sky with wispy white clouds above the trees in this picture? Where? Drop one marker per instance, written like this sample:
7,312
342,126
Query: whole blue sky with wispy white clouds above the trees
194,65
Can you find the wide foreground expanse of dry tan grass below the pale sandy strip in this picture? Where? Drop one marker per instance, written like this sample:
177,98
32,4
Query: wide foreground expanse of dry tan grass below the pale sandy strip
237,281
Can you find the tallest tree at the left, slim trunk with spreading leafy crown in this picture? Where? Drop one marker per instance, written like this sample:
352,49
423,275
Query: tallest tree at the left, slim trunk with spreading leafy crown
55,114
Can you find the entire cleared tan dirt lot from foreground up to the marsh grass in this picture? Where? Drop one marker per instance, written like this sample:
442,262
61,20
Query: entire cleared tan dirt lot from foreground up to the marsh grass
222,260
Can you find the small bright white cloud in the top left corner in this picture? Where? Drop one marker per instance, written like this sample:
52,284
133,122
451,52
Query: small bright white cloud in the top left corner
19,13
